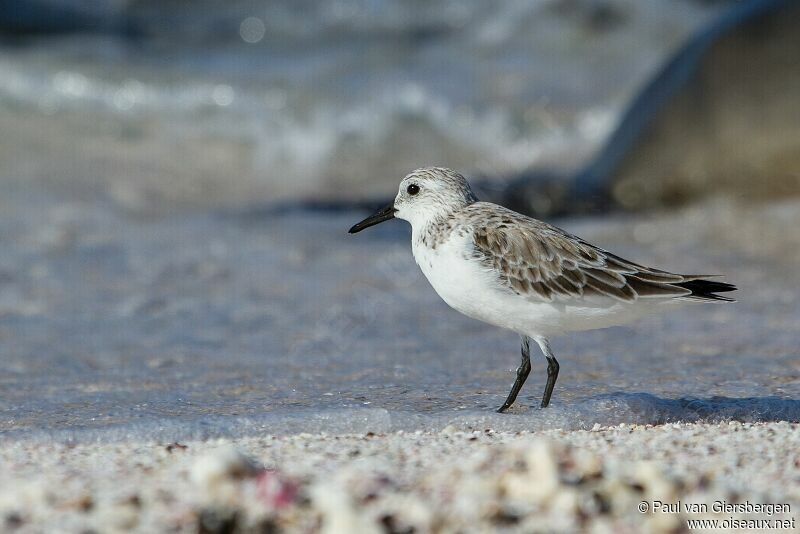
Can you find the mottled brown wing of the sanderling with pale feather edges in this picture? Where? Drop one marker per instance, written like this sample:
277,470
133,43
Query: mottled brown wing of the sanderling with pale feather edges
540,261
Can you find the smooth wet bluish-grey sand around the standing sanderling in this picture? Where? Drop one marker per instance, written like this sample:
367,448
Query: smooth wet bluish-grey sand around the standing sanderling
243,324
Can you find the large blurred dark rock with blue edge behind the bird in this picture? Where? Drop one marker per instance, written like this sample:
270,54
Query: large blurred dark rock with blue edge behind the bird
721,116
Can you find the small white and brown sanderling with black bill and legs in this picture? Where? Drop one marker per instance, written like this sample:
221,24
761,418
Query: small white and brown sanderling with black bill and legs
518,273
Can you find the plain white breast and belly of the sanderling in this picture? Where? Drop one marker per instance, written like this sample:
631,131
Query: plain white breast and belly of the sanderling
472,289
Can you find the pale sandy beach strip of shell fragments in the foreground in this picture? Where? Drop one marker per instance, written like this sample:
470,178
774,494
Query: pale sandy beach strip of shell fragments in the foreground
455,480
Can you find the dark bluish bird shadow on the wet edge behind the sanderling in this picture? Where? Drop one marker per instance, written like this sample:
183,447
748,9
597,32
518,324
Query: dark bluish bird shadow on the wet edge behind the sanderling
649,409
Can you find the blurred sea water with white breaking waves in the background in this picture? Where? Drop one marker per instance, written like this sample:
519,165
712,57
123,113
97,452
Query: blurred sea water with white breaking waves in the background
202,103
